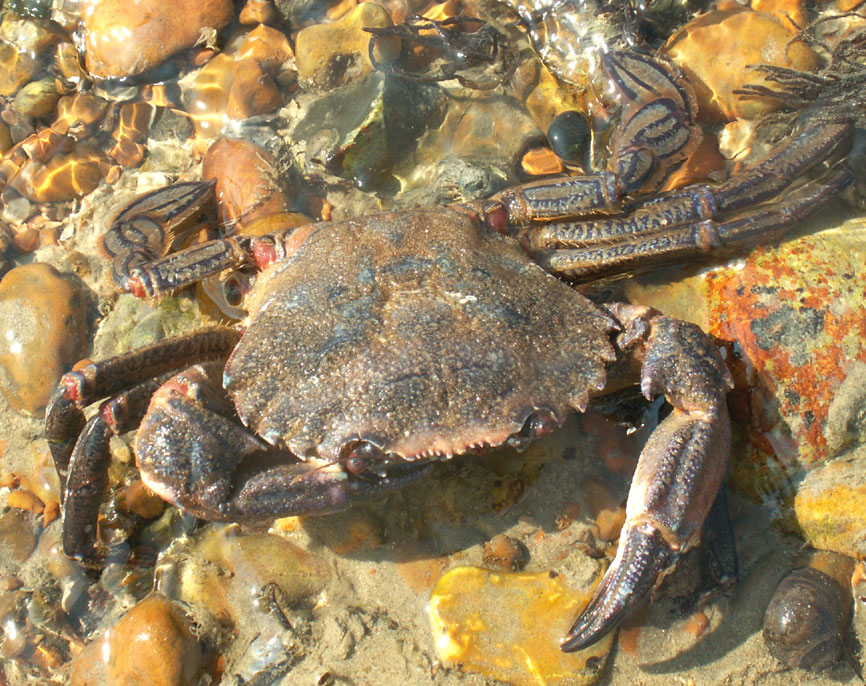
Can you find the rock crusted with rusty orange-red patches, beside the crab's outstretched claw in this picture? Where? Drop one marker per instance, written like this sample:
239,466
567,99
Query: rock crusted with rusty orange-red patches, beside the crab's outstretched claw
796,314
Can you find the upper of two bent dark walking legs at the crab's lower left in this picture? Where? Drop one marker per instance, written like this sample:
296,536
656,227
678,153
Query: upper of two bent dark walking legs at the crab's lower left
64,419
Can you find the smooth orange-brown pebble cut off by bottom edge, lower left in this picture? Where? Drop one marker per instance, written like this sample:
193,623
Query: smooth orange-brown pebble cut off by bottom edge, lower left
153,645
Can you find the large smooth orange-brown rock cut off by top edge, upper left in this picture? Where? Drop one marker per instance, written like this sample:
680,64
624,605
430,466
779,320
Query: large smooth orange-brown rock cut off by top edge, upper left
122,39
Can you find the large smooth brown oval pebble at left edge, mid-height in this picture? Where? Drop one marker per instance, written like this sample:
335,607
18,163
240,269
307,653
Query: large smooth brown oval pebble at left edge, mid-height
45,333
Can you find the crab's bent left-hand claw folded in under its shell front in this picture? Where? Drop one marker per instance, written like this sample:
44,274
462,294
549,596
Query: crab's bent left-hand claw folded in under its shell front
220,471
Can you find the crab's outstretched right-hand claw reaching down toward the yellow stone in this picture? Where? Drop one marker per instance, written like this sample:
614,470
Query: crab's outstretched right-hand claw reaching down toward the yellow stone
679,472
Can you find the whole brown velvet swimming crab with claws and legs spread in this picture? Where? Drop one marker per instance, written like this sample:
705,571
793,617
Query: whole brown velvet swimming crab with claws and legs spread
375,346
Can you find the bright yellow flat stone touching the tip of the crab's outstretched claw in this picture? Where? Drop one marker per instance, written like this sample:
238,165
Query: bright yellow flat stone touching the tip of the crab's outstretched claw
508,626
